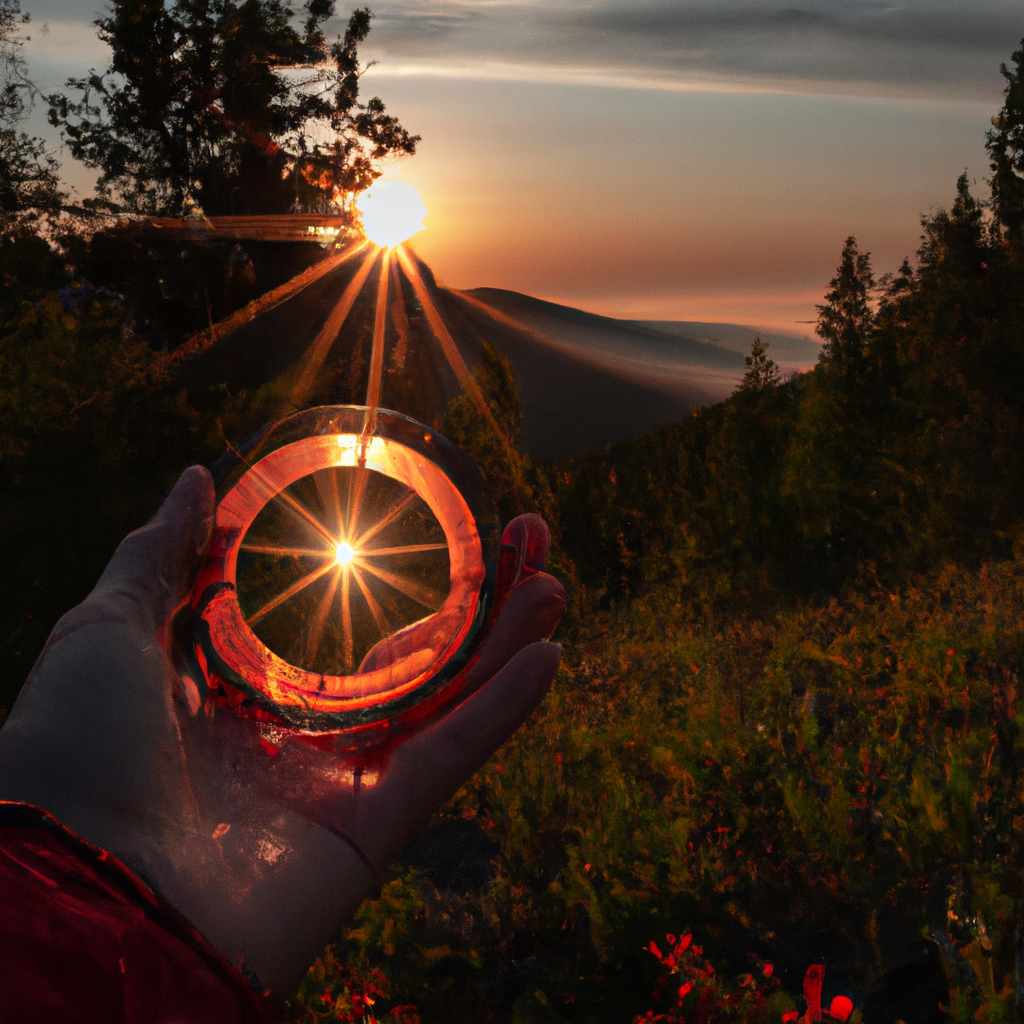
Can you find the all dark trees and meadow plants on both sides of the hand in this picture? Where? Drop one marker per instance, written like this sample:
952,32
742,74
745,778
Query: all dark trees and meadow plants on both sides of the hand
789,729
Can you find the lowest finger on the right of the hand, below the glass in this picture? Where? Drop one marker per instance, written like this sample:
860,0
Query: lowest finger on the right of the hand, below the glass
426,772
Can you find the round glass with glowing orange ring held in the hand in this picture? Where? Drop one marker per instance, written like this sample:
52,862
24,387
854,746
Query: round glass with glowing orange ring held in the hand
350,575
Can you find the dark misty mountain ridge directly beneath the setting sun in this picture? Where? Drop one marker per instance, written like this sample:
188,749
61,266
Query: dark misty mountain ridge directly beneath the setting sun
584,380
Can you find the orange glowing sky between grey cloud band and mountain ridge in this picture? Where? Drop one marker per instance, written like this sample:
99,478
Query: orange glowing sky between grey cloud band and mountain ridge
674,205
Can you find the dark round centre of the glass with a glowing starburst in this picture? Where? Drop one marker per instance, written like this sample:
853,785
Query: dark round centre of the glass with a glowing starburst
345,559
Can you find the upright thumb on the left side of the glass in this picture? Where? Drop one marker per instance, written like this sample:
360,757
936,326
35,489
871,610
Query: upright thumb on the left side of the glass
155,567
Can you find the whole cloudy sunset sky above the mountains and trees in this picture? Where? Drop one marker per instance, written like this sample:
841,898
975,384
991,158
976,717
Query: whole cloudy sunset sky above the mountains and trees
698,160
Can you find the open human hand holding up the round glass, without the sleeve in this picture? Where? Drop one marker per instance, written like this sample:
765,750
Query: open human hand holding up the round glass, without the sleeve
268,850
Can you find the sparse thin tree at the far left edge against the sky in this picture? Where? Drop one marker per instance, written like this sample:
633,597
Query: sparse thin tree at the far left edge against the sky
29,179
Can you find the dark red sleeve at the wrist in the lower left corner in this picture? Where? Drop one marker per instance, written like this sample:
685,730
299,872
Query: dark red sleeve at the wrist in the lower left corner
83,941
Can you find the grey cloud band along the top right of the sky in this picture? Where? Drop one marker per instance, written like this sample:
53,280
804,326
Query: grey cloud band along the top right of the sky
913,48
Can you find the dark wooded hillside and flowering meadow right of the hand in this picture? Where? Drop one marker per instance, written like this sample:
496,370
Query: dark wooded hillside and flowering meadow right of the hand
790,717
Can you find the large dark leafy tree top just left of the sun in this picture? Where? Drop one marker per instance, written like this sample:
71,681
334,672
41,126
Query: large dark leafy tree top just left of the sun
203,103
